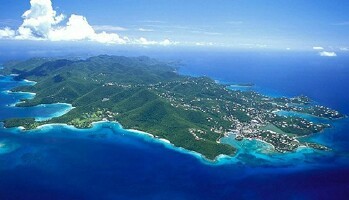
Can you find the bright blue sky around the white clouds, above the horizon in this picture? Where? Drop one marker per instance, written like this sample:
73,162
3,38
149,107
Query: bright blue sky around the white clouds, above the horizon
256,24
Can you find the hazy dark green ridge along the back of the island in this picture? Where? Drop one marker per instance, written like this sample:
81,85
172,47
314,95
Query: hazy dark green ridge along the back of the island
98,69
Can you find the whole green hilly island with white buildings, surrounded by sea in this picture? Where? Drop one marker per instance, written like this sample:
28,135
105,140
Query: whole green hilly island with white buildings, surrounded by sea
147,95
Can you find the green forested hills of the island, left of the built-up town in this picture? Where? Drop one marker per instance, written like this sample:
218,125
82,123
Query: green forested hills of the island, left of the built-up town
116,88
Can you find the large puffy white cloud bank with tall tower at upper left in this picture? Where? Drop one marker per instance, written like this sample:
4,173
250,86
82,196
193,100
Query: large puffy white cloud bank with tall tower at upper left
41,22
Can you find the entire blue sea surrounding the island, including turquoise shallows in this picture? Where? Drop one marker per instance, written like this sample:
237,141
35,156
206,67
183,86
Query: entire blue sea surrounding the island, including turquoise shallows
108,162
